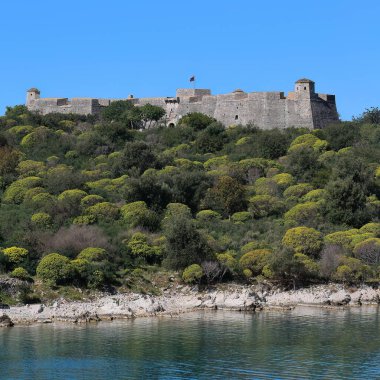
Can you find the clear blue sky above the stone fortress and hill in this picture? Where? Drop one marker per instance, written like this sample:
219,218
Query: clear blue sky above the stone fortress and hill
149,48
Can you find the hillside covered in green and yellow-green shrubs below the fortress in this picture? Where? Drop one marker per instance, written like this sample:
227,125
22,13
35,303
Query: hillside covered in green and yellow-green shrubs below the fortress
121,201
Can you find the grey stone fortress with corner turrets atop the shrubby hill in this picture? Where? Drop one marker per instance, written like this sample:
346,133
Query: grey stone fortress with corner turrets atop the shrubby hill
302,107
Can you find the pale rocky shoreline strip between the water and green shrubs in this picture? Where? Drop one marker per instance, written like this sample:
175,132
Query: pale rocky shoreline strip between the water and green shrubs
184,299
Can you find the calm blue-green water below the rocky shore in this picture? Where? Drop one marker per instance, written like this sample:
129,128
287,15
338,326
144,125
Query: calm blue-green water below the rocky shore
304,343
